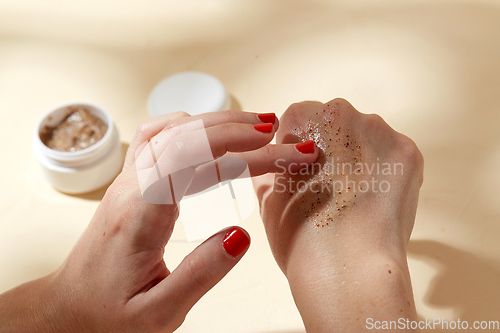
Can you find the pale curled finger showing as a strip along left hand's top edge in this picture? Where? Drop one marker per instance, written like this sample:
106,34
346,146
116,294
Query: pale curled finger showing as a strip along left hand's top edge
149,129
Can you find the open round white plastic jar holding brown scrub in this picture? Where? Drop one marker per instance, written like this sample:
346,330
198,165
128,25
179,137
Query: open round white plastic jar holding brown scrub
84,170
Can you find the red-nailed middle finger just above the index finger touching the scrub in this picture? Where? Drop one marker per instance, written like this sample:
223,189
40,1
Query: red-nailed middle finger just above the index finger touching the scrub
166,179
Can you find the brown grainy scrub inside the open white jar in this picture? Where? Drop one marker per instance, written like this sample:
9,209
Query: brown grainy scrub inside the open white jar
79,130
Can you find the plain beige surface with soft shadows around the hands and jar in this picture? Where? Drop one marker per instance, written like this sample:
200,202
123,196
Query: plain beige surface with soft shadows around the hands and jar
430,68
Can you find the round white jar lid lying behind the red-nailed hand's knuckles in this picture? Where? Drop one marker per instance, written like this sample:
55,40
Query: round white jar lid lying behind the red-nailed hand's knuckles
192,92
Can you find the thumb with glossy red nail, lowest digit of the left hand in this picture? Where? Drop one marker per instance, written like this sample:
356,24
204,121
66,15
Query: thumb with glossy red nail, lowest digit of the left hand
200,271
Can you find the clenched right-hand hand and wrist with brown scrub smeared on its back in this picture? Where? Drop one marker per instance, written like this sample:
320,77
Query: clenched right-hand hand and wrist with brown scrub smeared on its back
344,254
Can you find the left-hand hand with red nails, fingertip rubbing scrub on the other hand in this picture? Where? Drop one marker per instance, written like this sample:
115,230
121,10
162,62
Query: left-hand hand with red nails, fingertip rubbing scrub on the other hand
115,279
